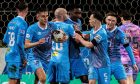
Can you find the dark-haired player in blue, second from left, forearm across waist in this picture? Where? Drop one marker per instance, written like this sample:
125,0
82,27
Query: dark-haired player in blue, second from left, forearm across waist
38,39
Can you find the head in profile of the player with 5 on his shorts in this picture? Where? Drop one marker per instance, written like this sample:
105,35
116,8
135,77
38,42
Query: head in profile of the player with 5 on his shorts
95,18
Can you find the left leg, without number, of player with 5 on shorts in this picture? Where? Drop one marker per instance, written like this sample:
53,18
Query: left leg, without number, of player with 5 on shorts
93,75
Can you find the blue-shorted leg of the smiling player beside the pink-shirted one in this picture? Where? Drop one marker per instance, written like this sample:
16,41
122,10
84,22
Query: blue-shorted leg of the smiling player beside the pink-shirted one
119,72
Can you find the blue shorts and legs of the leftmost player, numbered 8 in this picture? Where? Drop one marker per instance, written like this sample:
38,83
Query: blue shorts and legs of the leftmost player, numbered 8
14,72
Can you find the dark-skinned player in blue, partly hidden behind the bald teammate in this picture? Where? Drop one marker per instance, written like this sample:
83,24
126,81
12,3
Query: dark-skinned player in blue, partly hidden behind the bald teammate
78,69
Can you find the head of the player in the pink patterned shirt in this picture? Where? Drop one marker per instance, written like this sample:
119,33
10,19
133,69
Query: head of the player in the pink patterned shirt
125,16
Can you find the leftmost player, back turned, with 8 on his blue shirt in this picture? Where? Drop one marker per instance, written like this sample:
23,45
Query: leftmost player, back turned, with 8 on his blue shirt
14,38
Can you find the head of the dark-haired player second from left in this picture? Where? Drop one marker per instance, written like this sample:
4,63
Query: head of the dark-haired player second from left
42,15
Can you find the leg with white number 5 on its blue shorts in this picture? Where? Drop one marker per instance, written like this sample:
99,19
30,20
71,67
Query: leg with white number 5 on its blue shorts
104,75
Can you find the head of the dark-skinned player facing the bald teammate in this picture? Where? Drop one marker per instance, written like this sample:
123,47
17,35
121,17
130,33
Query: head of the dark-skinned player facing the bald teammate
75,11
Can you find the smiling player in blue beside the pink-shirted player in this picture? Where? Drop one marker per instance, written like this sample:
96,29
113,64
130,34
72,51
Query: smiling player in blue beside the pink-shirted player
116,38
